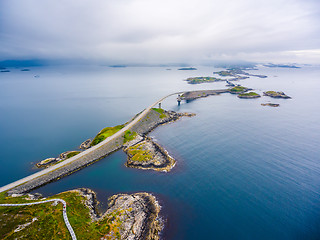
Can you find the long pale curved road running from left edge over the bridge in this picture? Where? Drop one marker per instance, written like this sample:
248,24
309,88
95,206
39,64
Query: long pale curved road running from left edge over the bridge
66,162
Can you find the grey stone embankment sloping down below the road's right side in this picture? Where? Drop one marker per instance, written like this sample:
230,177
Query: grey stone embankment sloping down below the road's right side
146,124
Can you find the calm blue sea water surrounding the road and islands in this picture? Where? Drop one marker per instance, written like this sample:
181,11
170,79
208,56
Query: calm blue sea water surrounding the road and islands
243,171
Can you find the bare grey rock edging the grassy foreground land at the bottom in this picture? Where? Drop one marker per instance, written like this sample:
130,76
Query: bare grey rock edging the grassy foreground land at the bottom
136,215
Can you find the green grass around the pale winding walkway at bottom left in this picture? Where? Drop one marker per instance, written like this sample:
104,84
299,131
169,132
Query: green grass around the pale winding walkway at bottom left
50,224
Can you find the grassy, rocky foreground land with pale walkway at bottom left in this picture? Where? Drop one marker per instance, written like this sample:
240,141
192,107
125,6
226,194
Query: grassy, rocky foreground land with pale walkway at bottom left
129,216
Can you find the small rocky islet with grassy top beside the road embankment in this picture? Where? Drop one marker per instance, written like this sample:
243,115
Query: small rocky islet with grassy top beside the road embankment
146,154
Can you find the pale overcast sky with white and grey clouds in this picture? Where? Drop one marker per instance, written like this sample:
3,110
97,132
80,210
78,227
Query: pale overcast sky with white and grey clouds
161,31
